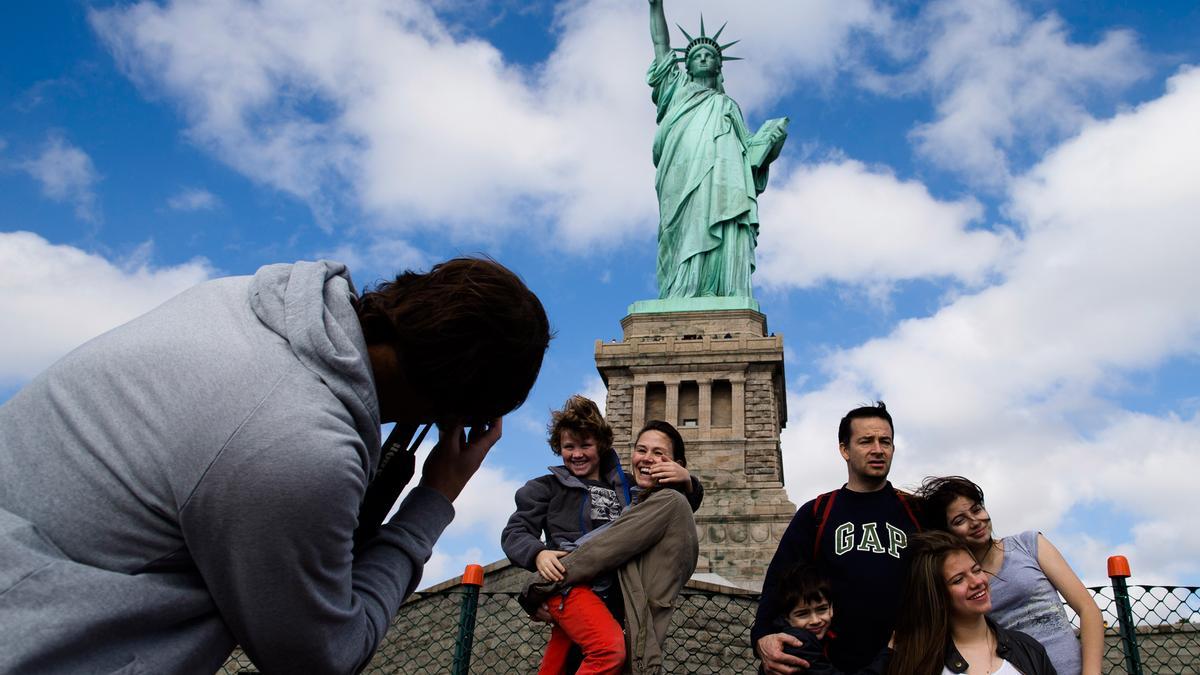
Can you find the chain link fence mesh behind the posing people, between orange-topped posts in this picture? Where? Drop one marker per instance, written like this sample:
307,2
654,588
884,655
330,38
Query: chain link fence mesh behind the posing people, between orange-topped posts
711,635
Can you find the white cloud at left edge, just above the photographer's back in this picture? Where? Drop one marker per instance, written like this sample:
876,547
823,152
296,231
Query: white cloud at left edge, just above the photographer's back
53,298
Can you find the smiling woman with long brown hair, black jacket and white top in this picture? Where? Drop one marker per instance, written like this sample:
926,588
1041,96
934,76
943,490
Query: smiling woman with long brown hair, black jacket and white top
944,626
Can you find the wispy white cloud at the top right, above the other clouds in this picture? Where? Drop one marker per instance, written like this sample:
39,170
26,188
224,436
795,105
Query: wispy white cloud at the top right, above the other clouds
1003,79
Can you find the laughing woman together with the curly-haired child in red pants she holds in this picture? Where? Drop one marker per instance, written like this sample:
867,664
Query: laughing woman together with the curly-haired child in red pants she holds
579,501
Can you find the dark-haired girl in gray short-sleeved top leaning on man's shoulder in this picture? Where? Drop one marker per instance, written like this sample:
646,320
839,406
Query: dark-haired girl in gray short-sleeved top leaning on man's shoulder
1029,575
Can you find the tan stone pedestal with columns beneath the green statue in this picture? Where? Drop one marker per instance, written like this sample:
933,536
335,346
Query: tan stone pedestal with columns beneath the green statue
718,377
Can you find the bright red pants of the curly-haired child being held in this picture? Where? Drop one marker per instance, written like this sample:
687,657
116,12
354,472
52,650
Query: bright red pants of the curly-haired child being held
583,619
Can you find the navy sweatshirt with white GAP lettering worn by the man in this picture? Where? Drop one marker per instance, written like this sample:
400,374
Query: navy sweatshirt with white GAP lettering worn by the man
862,552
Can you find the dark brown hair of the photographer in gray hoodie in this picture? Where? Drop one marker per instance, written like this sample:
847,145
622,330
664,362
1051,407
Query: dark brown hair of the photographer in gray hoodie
469,334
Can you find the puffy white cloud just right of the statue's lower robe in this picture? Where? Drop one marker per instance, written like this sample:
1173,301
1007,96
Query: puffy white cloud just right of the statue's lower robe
845,223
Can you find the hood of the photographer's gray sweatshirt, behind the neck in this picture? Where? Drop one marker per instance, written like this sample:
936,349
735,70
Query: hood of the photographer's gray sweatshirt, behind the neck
311,306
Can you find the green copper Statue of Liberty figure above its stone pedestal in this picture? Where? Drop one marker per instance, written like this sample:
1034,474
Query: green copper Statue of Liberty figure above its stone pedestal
711,169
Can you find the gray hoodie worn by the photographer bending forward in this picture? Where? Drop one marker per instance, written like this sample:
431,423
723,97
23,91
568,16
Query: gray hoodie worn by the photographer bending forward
193,480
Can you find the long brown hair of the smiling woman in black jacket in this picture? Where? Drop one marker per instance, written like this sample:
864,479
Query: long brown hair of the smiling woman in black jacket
923,626
